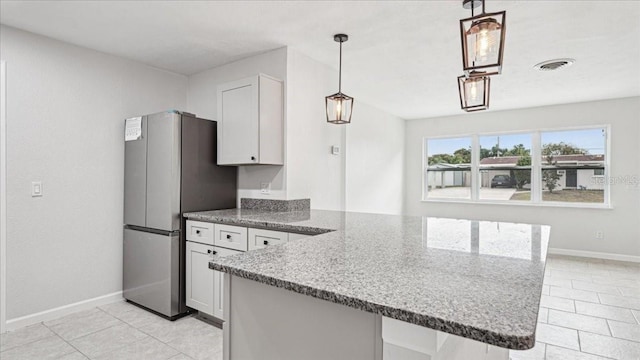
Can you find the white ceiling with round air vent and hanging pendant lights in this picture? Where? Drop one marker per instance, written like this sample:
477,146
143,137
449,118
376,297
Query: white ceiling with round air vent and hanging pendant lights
402,56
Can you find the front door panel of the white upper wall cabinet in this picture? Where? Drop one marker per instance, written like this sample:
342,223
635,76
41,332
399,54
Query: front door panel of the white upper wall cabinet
238,122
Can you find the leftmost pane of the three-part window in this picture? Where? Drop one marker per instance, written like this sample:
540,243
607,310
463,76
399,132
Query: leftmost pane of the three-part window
448,170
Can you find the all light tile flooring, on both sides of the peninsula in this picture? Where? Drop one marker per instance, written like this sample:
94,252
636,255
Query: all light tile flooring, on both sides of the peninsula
590,310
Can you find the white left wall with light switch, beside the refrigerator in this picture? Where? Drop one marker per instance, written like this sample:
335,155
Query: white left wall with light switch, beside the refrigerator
65,111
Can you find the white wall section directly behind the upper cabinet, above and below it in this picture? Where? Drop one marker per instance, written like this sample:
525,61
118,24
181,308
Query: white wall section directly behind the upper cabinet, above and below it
202,101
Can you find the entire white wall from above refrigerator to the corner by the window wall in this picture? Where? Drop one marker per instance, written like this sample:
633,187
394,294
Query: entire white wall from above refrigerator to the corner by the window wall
372,144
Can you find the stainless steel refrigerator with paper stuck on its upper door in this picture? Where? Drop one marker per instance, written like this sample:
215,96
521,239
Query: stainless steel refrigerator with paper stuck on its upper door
170,168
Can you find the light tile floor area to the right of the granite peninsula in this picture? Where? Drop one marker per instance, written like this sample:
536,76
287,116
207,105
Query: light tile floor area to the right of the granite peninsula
590,310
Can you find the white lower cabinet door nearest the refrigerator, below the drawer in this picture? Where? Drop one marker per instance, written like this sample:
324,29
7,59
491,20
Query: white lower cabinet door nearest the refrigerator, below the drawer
199,278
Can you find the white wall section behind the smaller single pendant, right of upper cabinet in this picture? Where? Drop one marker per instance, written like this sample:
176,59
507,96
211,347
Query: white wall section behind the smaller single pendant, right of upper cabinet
312,171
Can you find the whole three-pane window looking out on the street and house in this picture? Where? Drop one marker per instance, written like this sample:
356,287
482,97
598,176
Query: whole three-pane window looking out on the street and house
560,166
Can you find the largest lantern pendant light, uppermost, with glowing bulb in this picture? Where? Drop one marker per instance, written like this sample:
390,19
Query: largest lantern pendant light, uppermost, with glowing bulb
482,41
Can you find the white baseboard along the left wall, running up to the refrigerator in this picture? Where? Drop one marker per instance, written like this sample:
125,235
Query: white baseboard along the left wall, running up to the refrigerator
51,314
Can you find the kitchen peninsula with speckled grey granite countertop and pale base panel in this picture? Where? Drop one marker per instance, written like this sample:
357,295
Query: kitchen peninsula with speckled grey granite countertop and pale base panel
371,286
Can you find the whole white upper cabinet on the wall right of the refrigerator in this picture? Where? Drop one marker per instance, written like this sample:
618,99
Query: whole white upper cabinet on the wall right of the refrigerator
251,122
